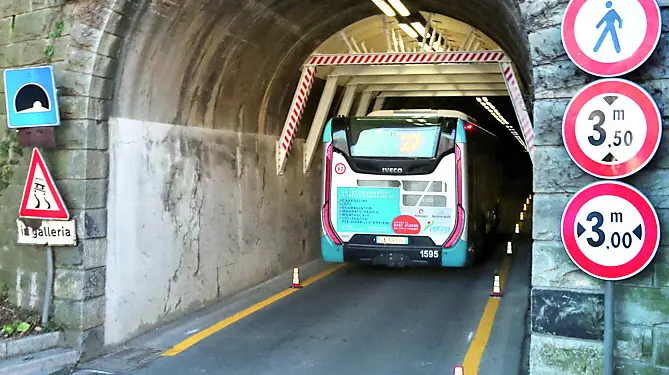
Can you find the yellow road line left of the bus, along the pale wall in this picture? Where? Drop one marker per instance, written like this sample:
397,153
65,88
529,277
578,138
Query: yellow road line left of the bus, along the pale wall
199,336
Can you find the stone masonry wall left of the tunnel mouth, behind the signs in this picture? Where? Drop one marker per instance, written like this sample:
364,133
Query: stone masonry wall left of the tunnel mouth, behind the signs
82,40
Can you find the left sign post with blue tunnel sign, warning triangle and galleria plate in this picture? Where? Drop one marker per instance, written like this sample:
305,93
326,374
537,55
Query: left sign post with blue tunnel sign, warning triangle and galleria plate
31,99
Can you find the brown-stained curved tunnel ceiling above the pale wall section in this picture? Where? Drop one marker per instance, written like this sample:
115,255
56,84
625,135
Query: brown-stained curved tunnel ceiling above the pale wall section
234,65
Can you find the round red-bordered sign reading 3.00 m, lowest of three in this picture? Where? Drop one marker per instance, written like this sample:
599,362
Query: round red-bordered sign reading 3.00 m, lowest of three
610,230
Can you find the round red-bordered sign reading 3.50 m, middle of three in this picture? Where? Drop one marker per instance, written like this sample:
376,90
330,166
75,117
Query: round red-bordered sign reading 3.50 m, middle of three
612,128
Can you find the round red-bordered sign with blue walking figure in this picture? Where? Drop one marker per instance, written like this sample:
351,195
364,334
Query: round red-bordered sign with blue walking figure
611,38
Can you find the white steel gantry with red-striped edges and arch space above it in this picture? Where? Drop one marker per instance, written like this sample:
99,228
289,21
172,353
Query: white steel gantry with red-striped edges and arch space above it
432,56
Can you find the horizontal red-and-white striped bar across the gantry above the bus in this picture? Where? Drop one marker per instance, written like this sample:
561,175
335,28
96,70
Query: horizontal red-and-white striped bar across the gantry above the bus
406,58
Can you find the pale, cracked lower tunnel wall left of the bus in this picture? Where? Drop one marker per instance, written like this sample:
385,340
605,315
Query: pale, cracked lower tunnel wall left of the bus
196,215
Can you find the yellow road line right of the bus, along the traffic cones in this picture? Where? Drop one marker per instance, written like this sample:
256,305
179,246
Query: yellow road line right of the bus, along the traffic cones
478,344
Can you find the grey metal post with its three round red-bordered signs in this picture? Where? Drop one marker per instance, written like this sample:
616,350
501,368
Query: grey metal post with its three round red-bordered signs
611,129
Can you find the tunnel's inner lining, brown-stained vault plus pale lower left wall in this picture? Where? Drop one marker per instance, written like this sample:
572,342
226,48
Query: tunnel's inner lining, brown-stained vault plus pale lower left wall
202,92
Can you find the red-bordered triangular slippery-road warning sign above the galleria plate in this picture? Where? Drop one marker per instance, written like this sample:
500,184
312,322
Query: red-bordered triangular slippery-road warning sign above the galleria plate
41,199
